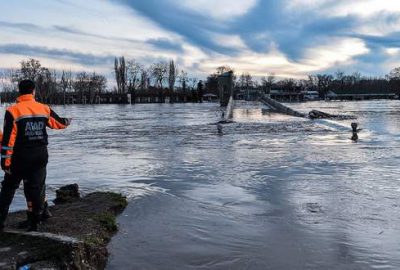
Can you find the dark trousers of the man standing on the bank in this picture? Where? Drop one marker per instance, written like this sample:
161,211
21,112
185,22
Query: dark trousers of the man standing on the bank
31,168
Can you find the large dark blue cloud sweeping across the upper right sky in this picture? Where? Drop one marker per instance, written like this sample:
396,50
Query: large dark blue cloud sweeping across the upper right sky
269,23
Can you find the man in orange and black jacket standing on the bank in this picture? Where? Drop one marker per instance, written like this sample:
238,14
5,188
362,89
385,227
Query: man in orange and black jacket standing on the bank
24,153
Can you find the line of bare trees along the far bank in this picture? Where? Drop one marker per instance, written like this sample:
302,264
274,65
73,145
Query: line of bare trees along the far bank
165,79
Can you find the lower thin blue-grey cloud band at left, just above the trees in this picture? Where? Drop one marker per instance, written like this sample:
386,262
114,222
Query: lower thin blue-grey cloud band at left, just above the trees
37,51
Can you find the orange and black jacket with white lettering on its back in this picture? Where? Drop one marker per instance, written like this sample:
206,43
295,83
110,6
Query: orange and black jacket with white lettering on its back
25,127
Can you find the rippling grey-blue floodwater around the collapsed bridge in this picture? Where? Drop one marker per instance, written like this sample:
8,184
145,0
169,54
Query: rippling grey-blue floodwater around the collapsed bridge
273,192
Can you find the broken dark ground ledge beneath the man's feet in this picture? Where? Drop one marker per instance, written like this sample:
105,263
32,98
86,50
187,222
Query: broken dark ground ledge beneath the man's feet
75,238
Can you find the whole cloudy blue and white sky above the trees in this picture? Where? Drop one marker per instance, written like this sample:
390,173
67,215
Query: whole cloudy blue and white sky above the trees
285,37
